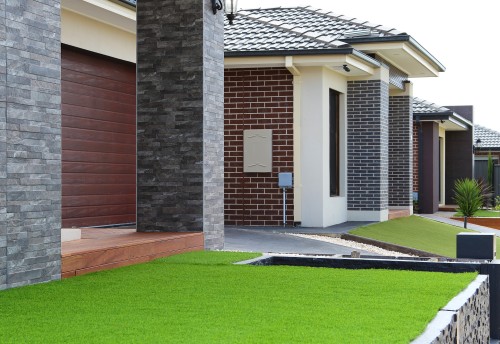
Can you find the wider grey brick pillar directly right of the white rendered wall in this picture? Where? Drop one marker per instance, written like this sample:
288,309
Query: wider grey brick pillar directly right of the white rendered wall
367,145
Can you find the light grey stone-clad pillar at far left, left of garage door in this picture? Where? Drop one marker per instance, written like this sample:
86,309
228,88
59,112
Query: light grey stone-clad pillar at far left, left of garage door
30,142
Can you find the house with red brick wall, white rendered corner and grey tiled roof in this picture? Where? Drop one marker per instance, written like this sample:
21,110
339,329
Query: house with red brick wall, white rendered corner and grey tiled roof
334,94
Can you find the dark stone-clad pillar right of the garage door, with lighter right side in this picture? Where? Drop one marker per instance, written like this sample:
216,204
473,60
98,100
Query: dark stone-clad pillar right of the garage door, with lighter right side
180,123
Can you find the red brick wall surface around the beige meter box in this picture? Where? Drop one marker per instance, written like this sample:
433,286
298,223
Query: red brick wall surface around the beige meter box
260,98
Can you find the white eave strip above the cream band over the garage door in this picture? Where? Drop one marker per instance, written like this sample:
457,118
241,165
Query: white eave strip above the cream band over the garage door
104,11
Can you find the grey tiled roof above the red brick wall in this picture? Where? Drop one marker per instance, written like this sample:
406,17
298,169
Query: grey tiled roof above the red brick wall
298,28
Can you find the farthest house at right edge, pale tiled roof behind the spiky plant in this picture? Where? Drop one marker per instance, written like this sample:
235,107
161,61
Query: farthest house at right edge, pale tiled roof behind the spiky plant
487,141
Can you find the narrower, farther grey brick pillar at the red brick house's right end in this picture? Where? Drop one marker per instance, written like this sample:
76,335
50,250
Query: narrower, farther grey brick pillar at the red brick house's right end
400,151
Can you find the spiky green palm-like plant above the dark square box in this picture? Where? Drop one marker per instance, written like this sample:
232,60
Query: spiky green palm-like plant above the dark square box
468,196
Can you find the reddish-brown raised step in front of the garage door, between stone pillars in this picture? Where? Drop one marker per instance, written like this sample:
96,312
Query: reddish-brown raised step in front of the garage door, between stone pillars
108,248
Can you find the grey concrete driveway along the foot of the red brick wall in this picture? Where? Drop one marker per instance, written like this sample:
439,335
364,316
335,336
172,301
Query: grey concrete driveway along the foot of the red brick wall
274,240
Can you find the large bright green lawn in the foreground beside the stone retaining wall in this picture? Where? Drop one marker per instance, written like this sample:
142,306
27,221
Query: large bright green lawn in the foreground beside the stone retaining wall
201,298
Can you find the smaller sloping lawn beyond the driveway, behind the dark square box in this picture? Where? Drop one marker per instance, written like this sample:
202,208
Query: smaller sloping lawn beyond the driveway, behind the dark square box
416,232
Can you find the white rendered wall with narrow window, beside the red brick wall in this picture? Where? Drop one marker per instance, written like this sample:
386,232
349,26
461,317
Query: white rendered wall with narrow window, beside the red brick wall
318,209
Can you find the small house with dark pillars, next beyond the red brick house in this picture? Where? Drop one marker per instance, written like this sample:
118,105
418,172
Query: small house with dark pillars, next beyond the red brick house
442,152
